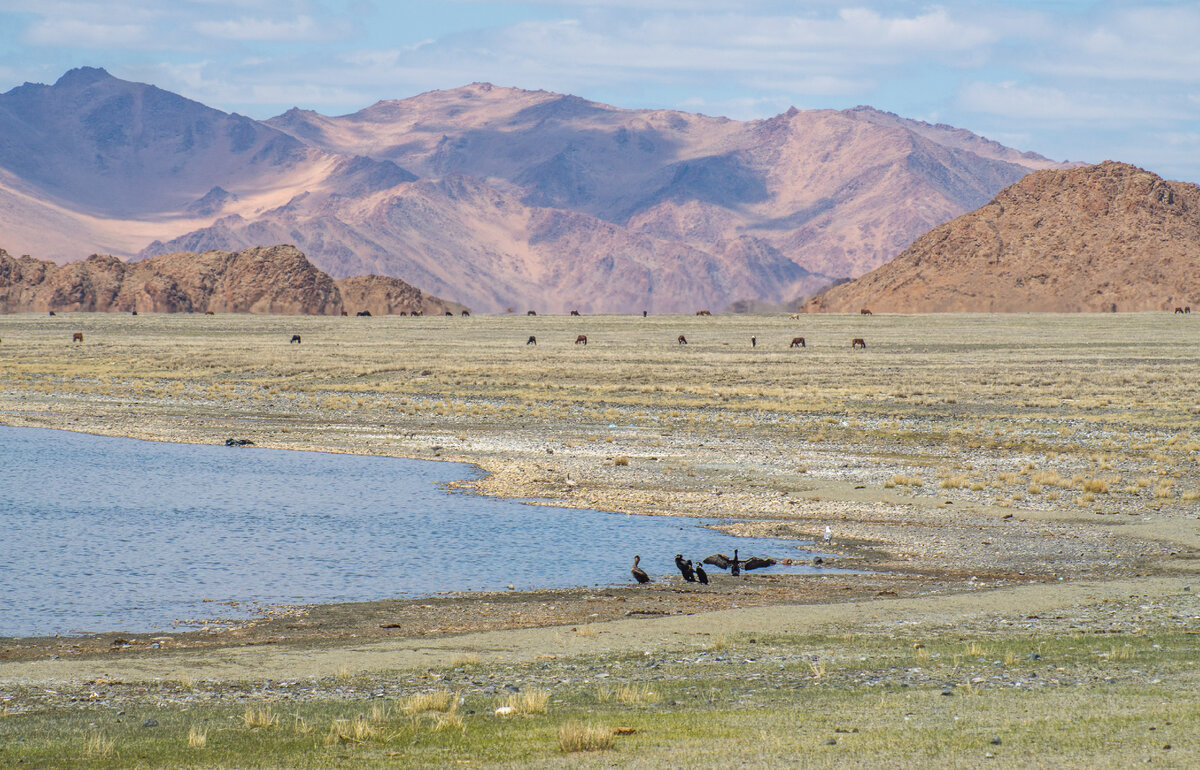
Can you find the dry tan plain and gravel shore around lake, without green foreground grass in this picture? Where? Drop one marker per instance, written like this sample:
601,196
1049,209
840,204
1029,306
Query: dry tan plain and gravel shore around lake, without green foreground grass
974,471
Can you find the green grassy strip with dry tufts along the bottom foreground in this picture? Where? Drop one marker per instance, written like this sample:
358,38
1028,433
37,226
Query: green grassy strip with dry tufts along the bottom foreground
1073,701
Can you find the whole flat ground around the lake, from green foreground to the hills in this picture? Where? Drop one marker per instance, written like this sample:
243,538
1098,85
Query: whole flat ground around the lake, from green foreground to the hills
1021,492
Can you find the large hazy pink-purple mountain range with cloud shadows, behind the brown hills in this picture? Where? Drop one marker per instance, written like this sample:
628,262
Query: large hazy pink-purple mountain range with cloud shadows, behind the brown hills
493,197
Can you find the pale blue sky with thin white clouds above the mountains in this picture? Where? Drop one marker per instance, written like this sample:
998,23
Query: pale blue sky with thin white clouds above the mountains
1071,80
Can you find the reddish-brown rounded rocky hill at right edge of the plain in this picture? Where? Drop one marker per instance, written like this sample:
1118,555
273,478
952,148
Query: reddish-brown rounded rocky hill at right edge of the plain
1108,238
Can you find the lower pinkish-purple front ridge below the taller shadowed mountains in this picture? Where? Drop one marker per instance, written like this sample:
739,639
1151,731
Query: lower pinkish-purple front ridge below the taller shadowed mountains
463,238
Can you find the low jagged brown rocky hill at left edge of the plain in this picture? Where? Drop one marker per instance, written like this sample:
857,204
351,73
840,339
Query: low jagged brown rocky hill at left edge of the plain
260,280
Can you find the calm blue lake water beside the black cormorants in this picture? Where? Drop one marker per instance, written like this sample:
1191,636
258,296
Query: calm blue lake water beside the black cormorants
106,534
